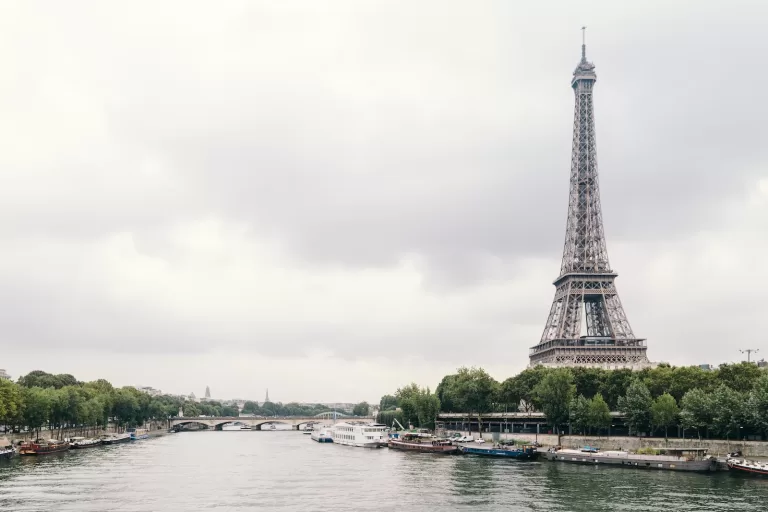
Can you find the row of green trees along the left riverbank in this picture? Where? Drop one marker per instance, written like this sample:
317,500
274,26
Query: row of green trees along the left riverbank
43,400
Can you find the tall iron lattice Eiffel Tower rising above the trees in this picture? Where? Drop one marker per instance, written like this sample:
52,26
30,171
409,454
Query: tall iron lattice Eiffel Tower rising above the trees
585,290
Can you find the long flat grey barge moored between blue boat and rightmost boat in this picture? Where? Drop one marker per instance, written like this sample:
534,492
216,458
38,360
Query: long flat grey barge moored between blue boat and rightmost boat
674,459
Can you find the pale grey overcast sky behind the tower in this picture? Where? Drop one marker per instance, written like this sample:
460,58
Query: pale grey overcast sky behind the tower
332,199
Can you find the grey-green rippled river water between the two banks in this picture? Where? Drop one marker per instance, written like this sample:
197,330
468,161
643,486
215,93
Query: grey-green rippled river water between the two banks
239,471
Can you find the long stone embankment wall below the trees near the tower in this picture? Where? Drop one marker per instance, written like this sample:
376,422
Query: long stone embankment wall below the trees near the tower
715,446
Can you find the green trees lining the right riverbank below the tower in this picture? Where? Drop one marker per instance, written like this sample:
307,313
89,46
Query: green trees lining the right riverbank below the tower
728,402
